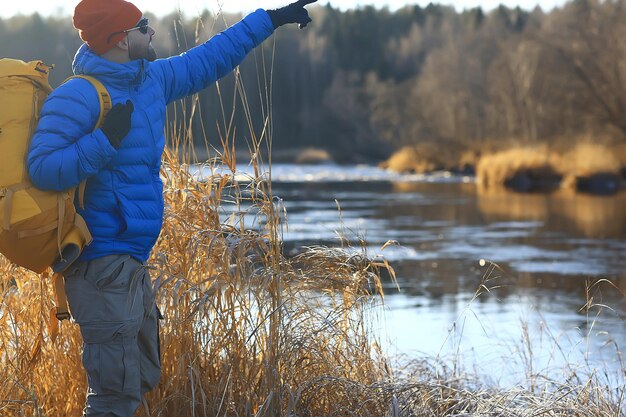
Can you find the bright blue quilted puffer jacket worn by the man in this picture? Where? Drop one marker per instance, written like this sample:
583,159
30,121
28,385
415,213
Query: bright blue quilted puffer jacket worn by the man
123,198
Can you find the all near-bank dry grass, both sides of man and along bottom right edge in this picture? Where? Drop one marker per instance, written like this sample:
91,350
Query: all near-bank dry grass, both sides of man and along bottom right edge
251,332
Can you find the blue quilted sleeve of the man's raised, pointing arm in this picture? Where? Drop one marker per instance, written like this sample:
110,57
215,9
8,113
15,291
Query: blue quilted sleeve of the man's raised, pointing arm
202,65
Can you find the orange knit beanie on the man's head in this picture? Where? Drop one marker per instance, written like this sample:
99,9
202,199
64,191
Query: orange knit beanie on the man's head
96,20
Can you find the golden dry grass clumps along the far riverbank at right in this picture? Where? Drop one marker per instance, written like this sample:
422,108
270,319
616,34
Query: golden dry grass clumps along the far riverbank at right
583,166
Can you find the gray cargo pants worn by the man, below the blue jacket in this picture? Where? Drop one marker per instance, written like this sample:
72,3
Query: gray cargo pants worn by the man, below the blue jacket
112,300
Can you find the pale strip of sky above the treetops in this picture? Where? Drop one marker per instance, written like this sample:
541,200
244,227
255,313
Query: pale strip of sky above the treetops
192,7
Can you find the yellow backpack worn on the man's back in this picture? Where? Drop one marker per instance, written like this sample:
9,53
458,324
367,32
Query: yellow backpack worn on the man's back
38,229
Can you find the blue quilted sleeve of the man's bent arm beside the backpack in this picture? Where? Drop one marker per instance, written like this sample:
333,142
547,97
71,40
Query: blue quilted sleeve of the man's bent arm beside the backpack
64,150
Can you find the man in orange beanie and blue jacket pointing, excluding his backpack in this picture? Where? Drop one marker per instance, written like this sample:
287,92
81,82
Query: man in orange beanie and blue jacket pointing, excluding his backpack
108,289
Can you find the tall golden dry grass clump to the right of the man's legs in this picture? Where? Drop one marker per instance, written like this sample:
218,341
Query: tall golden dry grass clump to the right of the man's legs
255,330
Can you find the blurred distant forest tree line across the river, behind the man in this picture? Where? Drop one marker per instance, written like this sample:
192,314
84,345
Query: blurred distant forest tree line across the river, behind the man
364,82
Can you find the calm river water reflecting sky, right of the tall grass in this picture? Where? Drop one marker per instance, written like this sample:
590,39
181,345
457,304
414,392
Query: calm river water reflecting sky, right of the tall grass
493,281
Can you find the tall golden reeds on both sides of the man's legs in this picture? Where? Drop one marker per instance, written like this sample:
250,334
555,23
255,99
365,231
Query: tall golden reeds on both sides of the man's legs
247,331
